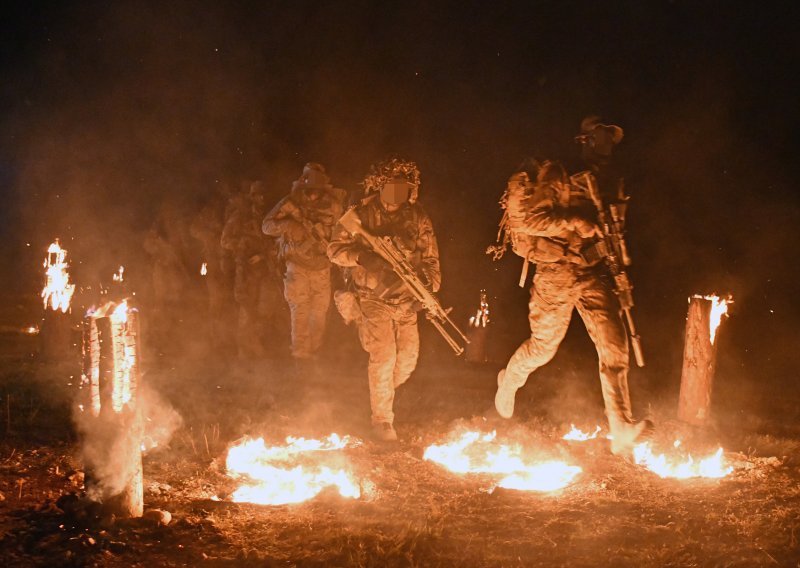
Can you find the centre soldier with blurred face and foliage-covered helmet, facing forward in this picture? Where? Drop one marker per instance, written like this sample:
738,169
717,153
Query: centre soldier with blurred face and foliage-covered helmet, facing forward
388,330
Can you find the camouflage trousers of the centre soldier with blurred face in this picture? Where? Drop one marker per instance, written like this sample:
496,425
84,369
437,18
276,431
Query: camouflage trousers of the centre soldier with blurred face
390,335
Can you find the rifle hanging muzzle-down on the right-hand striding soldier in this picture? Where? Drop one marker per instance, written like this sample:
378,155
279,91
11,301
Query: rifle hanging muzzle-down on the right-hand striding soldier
614,252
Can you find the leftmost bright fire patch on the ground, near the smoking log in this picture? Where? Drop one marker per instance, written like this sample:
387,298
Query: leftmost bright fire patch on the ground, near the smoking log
273,476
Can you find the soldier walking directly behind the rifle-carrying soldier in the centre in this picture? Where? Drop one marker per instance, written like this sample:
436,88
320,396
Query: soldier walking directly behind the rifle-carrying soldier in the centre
302,221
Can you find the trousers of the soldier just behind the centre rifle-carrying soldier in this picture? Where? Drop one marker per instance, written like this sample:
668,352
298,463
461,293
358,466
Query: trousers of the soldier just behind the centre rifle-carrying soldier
308,293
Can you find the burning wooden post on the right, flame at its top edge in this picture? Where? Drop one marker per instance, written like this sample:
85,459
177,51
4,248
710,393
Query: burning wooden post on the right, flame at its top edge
699,357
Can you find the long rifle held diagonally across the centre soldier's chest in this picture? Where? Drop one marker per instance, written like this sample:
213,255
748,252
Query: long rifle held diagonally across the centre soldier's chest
386,249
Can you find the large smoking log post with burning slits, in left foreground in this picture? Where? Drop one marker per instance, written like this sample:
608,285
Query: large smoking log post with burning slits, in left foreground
113,428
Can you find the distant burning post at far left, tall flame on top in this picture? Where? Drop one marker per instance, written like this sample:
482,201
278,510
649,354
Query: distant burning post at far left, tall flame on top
57,295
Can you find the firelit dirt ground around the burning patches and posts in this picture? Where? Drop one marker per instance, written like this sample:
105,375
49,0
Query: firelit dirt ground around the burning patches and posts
412,512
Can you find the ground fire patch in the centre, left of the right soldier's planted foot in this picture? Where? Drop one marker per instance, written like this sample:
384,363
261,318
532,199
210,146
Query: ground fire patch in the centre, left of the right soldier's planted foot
475,452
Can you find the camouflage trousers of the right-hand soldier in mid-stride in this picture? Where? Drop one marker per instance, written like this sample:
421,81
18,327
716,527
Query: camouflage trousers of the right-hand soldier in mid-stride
557,290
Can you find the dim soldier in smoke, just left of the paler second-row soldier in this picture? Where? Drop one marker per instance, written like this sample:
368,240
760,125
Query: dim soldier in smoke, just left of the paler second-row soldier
256,268
